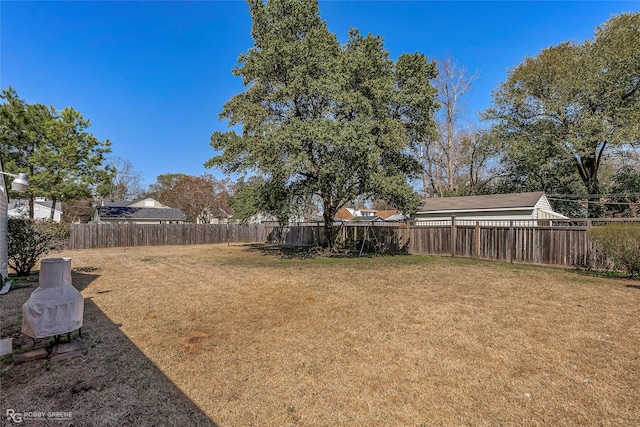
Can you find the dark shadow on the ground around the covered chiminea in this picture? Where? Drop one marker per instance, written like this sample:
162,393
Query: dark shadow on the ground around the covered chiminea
111,384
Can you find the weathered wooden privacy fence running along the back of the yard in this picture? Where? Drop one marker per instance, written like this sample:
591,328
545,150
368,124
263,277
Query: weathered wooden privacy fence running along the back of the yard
559,243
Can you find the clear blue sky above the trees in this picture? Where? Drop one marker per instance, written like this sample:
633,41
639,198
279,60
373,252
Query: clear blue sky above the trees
152,76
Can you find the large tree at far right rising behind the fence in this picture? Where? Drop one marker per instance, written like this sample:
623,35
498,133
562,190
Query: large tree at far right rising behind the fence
571,105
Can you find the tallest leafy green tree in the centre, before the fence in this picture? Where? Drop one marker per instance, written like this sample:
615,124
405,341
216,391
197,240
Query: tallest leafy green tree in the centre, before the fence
319,119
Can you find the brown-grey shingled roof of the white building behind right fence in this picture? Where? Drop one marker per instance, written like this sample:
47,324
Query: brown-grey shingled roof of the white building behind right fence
492,201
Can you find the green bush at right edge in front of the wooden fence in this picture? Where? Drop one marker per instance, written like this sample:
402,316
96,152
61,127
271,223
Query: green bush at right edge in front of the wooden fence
621,242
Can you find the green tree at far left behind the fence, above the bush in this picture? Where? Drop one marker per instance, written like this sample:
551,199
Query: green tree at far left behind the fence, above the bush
63,160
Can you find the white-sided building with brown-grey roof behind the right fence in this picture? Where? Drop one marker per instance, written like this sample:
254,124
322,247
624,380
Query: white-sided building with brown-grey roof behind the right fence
495,209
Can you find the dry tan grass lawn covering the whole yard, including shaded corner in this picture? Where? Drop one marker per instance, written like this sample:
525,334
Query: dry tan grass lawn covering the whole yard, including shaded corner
239,336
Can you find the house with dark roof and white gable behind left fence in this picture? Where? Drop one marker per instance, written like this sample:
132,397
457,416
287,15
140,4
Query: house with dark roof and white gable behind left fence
147,211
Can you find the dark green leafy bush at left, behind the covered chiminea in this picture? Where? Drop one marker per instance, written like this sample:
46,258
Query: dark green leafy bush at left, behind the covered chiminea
30,239
